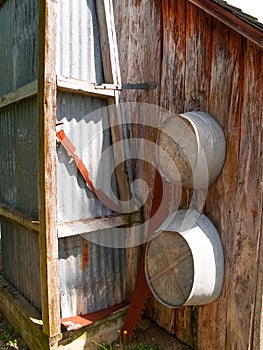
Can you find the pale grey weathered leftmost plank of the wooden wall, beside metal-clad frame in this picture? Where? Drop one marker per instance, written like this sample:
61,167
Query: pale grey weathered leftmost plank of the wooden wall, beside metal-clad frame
139,53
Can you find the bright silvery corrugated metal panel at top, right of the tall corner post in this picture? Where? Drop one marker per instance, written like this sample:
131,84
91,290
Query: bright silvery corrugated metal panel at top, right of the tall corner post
78,51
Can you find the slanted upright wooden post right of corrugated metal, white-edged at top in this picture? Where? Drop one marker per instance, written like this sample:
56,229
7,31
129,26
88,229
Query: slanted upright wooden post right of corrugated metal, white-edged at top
111,70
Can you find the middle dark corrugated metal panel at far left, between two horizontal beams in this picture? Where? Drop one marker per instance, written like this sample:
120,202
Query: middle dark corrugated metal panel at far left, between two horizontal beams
18,157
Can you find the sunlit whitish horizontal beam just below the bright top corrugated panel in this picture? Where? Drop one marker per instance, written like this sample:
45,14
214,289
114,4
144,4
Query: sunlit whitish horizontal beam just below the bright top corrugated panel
76,86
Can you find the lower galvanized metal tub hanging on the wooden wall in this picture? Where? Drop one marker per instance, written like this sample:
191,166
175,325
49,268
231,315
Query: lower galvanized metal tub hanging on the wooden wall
184,262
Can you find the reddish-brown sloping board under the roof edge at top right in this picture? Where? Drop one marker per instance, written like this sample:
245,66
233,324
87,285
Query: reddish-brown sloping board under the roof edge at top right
239,25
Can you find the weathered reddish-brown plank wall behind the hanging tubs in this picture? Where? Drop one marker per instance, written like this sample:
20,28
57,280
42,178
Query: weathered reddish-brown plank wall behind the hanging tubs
198,62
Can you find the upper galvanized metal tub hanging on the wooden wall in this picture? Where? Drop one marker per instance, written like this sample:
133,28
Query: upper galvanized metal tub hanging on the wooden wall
191,150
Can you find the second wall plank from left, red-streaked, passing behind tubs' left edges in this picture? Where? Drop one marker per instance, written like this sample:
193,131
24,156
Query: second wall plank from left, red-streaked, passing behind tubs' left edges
171,97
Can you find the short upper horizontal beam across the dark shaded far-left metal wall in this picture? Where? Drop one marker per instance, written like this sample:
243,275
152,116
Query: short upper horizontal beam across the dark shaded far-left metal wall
22,93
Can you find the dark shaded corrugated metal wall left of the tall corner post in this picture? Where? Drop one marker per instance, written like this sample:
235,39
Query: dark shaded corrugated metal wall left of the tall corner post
18,149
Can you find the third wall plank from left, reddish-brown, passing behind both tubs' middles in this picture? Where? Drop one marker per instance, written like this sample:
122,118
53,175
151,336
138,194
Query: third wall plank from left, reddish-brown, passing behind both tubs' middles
198,52
